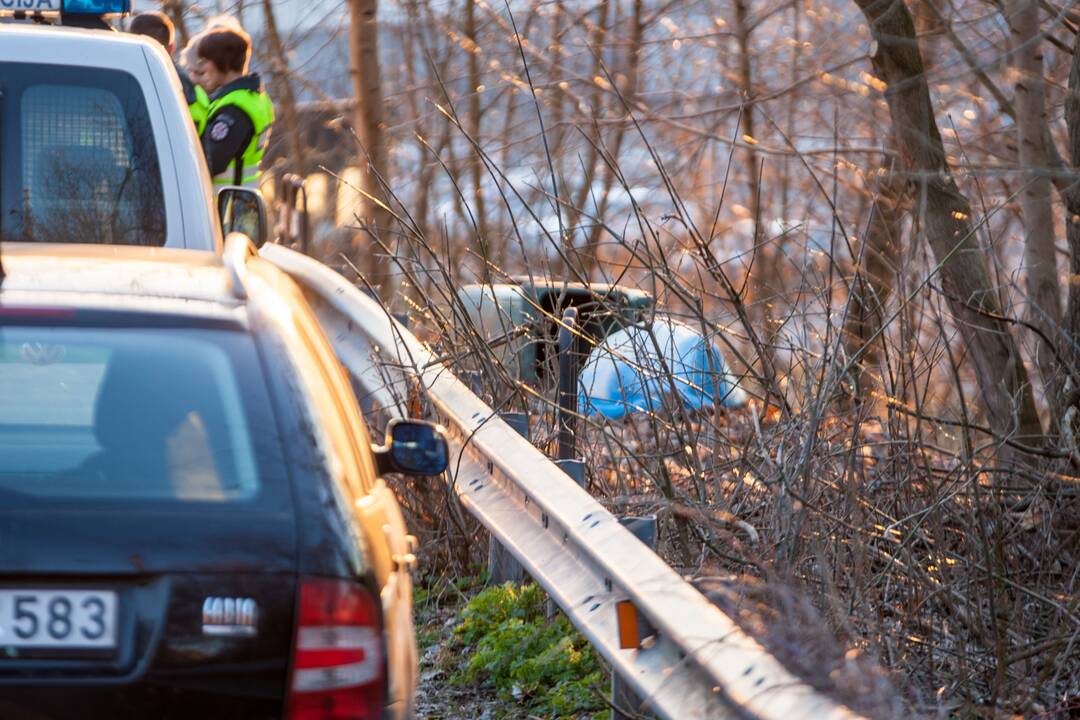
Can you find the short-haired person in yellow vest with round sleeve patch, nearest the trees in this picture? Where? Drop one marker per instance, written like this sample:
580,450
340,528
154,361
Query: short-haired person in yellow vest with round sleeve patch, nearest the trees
240,115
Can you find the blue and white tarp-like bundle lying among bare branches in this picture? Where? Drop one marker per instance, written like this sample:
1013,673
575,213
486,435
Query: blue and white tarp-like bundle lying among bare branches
636,369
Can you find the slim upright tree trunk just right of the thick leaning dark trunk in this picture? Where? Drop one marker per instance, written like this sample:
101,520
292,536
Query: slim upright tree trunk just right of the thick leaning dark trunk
1044,291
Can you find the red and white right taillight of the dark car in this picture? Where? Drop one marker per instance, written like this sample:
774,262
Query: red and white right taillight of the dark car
337,658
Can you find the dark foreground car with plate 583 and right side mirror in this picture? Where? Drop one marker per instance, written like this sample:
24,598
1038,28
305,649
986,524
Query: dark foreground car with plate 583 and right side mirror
193,522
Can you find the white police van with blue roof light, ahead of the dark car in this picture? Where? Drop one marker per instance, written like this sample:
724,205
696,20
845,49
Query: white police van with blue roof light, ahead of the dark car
97,145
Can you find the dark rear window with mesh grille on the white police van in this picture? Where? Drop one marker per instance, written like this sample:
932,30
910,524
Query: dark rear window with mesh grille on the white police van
79,162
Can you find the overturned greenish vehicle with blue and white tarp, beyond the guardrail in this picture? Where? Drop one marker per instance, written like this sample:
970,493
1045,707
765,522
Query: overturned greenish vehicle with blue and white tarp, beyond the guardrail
613,352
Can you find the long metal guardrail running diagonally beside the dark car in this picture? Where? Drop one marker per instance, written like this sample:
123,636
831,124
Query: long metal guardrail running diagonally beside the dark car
699,663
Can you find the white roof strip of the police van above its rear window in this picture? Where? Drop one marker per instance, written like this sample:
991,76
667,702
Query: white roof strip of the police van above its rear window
70,46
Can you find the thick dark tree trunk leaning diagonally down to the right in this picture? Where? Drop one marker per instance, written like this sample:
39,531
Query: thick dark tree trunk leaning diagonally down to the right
947,218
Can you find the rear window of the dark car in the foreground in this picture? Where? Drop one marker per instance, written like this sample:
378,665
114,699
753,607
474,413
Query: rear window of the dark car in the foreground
161,415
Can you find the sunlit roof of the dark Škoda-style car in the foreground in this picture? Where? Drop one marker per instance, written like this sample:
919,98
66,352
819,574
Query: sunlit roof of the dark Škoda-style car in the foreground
116,277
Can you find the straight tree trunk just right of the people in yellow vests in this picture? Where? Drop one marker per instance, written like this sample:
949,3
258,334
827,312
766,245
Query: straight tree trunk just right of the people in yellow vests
368,90
